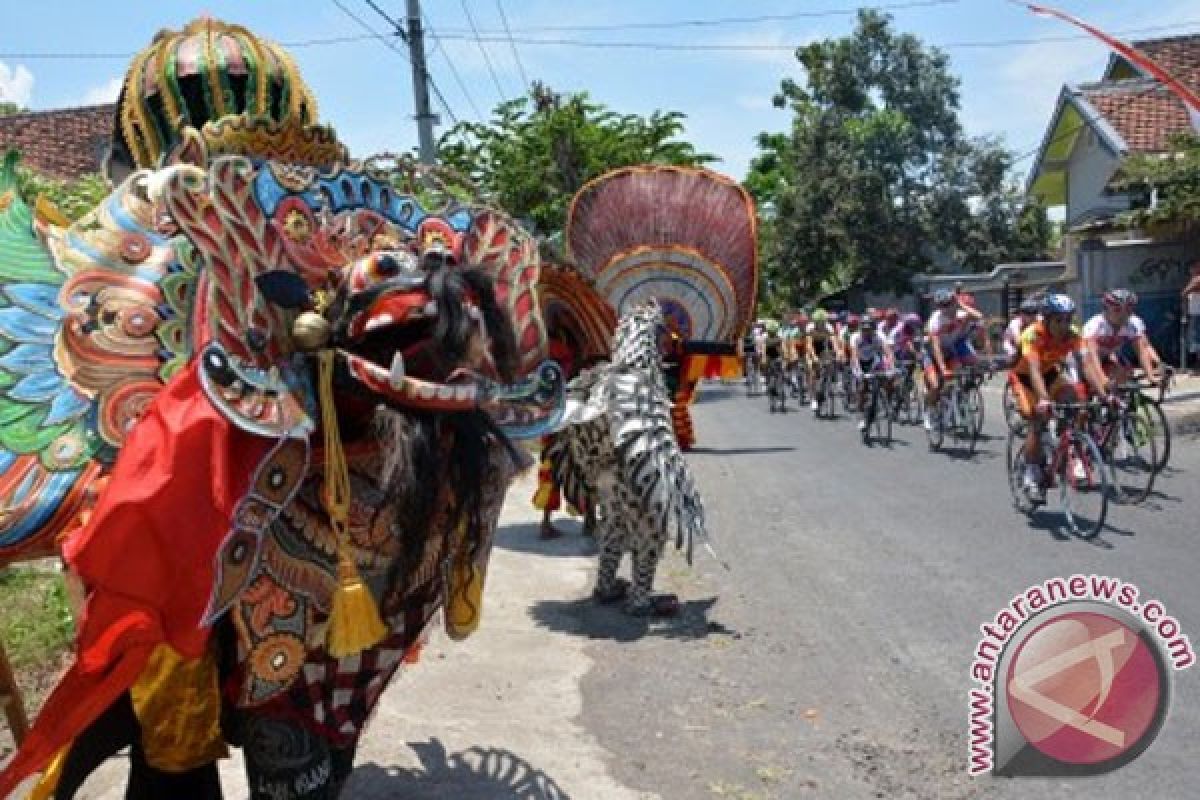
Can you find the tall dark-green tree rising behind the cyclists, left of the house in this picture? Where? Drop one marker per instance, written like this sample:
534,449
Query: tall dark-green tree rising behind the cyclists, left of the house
875,181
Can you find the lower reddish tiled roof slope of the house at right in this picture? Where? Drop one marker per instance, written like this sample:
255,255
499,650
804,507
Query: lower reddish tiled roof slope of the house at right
1143,112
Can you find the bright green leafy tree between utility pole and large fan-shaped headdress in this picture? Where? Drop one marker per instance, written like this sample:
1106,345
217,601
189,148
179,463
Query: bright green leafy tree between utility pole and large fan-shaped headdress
538,151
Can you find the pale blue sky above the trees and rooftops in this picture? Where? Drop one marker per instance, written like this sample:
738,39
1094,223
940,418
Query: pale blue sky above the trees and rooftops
364,88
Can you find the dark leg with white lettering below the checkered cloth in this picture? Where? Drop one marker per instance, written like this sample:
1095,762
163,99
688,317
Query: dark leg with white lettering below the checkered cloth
284,760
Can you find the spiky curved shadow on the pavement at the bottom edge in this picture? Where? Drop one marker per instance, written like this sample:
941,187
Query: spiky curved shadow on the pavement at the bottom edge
475,774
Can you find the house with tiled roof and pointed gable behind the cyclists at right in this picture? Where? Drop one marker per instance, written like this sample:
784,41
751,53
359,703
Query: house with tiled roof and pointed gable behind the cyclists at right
1095,128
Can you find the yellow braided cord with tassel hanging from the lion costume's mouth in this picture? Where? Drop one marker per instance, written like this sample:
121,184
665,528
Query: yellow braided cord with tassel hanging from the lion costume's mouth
355,623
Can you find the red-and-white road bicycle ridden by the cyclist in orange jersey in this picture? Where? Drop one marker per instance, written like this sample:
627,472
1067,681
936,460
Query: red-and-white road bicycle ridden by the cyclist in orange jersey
1072,462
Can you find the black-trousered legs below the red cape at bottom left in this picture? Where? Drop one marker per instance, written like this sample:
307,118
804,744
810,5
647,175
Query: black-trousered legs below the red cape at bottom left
117,729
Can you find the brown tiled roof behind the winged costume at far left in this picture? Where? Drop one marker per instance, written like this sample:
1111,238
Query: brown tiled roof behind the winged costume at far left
63,143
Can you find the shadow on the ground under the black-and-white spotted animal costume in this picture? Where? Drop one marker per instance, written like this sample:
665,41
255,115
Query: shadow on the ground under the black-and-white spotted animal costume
587,618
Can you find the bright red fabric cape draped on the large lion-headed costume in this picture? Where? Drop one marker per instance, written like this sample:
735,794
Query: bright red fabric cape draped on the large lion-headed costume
147,558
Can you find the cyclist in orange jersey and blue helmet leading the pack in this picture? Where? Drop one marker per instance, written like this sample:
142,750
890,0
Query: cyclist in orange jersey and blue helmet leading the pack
1052,351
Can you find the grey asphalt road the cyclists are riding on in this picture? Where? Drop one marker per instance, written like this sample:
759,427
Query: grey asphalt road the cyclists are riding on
833,659
